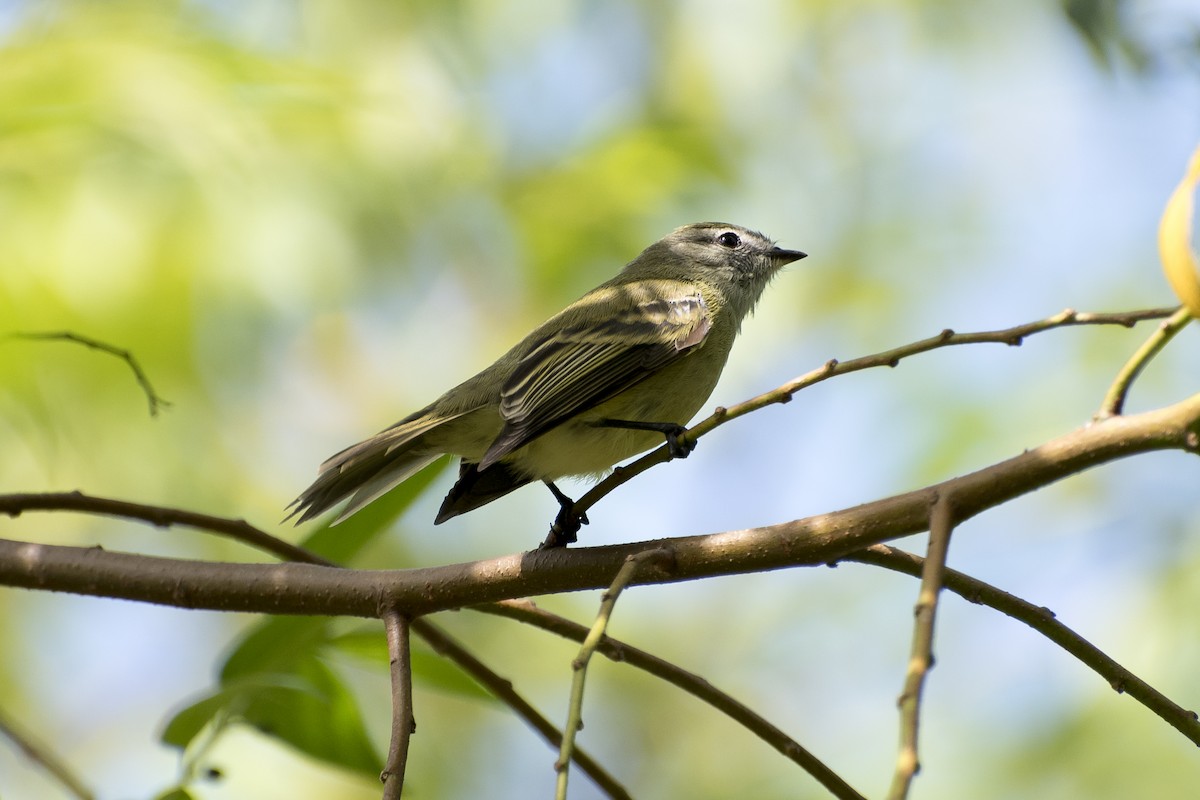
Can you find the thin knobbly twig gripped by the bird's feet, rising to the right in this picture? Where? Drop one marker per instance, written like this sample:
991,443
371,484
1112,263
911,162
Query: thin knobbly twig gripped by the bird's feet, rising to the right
1011,336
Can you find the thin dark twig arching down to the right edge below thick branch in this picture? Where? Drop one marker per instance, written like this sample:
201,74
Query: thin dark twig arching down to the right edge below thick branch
1043,621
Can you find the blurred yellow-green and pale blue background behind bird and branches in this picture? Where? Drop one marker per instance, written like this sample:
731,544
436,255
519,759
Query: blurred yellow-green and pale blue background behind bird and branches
308,219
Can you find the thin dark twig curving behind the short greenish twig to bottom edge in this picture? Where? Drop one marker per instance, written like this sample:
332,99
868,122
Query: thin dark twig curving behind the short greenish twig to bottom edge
525,611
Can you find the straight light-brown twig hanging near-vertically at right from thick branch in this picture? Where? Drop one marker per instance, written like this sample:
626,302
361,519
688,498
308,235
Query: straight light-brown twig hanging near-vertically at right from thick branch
921,659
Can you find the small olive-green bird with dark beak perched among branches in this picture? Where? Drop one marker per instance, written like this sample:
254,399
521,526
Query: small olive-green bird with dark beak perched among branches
607,378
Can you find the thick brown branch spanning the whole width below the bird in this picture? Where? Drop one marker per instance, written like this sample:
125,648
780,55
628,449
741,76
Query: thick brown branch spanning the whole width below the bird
308,590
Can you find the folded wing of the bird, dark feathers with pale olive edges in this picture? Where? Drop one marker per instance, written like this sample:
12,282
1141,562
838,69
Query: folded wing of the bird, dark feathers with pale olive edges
603,354
